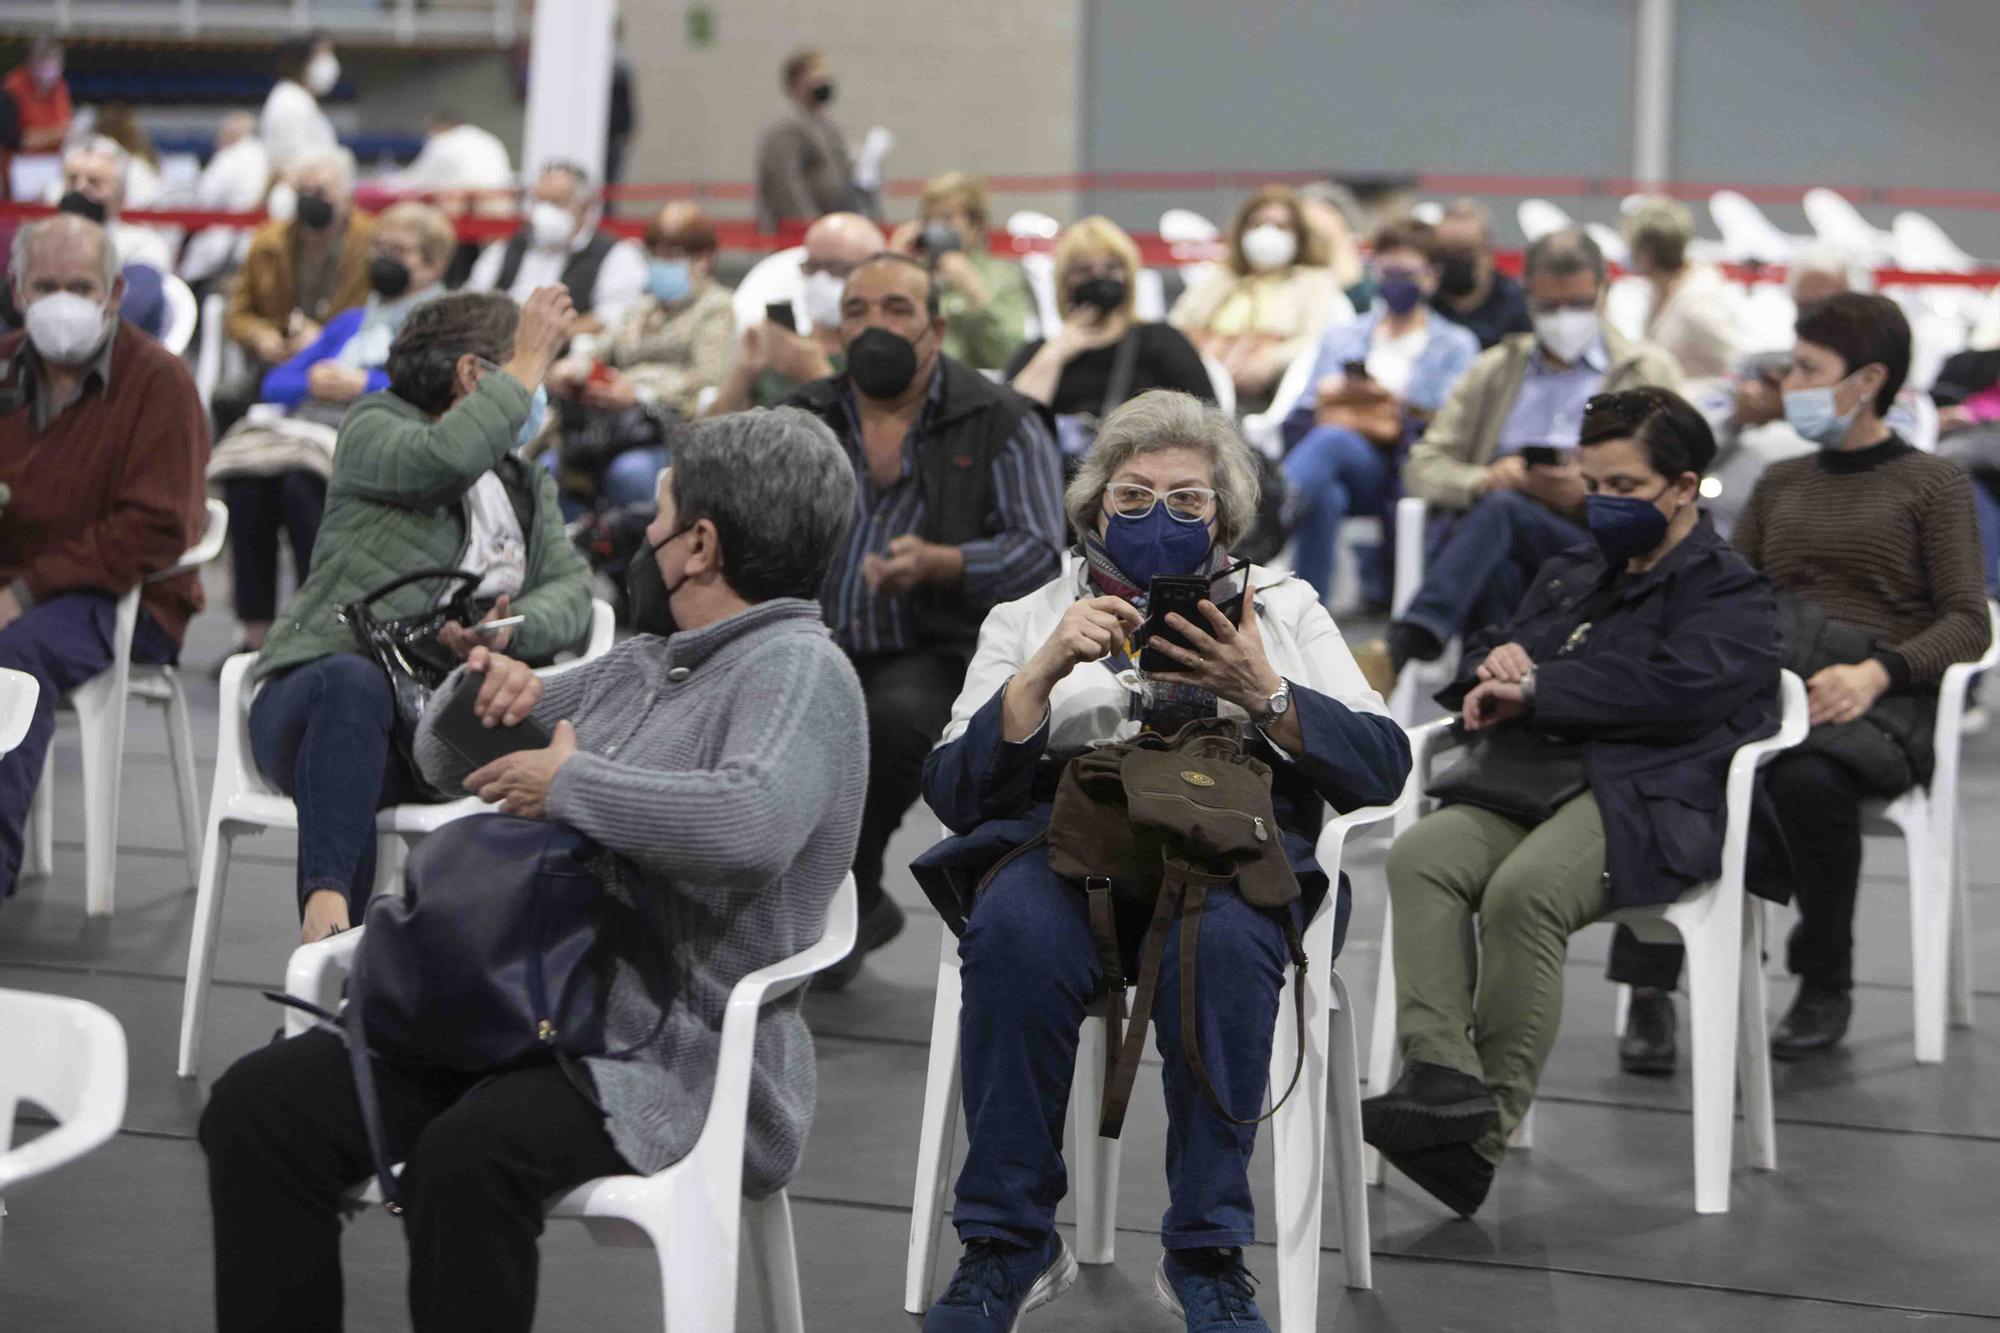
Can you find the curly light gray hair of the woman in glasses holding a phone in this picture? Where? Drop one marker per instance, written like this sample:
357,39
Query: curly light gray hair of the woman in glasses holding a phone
1157,421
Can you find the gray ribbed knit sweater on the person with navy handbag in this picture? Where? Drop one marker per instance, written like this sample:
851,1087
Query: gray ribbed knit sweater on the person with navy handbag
729,768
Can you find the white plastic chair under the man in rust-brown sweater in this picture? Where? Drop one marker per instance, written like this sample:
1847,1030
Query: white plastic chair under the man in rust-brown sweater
101,722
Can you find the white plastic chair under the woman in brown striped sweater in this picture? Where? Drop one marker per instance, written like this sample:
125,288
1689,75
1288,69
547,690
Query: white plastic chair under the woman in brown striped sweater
1927,818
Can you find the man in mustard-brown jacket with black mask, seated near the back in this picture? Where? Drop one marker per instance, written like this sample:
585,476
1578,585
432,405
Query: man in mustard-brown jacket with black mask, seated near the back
297,277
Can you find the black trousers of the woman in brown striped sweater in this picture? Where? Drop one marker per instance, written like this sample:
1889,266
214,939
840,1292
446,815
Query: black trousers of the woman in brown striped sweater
1821,814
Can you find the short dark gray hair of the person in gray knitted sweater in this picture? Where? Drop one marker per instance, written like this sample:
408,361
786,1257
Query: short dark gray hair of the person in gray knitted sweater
781,491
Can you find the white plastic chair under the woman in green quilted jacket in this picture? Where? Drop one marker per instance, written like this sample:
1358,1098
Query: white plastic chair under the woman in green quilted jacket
241,802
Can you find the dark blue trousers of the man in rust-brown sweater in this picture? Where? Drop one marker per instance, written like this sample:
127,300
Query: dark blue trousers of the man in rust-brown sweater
61,643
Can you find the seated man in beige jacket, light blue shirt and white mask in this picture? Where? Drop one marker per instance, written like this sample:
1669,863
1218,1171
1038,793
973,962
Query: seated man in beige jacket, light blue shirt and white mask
1527,393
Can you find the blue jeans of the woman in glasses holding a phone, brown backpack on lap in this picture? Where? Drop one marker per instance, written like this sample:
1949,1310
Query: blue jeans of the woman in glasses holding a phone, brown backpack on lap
1029,974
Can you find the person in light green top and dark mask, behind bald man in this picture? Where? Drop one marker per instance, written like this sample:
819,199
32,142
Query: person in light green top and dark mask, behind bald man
987,299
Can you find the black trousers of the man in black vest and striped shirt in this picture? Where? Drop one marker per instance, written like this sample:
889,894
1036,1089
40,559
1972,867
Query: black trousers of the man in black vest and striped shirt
909,704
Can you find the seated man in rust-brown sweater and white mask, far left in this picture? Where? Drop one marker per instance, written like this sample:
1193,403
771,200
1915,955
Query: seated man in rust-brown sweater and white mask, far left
103,445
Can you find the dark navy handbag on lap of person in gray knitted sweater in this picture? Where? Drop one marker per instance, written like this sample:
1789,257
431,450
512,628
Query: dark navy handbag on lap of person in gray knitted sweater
497,956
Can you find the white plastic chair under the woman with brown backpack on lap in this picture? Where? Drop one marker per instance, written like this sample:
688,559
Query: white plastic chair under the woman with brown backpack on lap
1329,1086
